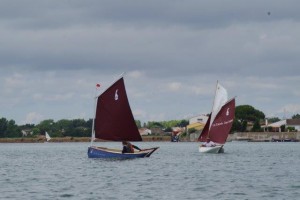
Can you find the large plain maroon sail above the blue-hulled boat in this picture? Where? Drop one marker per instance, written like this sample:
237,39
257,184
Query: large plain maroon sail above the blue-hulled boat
114,120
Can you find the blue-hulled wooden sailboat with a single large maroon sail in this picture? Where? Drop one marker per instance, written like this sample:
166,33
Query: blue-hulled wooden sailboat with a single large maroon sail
114,122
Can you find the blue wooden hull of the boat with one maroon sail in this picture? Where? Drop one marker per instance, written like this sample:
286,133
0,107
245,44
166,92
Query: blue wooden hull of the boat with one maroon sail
102,152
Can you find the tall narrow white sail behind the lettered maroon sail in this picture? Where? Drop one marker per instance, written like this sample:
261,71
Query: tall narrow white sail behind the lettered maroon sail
221,97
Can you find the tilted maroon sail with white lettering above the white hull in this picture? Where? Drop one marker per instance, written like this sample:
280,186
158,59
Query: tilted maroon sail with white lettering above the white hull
222,124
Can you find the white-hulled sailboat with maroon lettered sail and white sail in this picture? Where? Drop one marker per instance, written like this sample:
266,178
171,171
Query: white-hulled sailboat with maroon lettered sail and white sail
218,124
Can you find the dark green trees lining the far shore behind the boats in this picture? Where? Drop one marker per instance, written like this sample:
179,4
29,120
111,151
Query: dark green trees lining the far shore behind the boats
83,128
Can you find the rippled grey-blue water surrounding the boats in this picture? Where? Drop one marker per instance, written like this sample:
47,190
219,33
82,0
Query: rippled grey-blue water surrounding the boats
175,171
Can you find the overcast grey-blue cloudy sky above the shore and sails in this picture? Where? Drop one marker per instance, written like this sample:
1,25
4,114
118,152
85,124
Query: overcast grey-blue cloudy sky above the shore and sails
53,52
